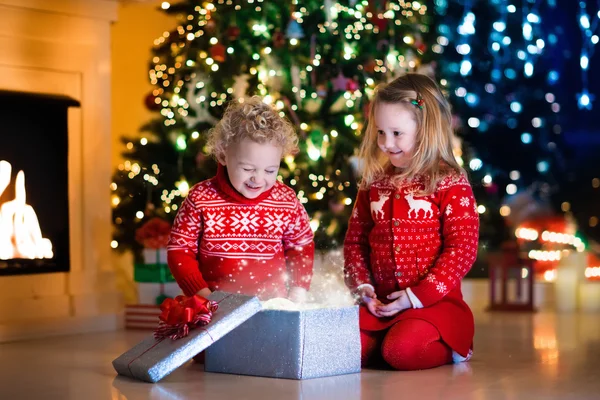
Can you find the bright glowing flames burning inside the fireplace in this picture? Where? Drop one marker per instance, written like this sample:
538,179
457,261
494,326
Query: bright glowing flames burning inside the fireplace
20,233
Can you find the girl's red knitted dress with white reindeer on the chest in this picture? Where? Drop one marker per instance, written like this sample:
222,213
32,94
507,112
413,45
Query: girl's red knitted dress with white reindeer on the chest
397,240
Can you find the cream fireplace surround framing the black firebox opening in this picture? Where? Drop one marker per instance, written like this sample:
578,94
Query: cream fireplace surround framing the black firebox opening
62,47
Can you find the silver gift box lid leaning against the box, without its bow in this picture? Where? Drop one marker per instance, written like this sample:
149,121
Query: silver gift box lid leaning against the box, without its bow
152,360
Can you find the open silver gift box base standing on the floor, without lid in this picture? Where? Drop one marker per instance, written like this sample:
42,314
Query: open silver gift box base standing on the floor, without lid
291,344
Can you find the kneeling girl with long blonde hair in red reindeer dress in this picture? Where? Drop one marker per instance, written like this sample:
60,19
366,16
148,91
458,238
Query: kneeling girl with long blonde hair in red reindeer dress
413,233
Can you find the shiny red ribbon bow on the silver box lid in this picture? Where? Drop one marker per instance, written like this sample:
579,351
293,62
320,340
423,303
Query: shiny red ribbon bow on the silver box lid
181,314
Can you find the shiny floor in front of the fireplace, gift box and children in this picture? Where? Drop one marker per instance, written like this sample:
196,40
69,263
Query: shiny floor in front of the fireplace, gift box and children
520,356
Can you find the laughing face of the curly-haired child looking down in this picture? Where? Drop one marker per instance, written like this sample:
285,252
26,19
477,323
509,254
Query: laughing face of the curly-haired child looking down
252,167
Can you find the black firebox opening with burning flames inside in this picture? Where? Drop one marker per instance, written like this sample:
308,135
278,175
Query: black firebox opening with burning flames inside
34,201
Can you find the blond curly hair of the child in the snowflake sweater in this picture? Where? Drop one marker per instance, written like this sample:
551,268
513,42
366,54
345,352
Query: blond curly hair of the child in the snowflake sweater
253,119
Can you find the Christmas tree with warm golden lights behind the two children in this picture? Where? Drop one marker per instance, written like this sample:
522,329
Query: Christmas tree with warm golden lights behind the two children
316,61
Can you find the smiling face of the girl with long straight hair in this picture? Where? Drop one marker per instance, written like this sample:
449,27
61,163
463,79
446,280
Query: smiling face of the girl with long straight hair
396,132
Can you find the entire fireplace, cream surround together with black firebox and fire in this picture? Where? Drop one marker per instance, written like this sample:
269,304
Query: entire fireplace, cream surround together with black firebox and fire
55,51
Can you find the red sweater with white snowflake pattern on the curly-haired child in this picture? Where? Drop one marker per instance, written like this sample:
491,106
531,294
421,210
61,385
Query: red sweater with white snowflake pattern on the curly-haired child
224,241
